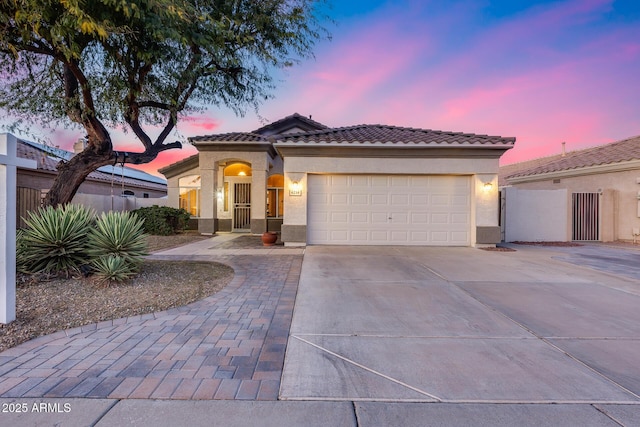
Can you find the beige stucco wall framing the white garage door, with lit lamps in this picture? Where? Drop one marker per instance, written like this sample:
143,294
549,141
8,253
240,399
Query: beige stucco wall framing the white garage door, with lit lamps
484,205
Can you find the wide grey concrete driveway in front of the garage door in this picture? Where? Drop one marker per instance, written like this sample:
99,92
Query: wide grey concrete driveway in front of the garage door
462,325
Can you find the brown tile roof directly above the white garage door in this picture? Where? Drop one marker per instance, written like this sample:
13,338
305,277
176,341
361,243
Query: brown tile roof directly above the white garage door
393,135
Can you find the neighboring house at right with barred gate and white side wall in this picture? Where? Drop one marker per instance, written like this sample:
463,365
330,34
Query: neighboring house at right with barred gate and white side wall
591,194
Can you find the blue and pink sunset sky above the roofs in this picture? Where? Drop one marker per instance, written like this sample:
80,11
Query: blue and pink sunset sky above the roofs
543,72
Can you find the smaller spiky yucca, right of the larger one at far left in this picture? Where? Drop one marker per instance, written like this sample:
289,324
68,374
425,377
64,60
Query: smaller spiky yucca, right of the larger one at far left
120,234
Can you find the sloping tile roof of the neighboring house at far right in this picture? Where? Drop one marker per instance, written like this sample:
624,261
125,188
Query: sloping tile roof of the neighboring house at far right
615,152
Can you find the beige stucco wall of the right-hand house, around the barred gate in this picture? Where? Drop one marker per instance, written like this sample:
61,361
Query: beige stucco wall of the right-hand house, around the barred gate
619,199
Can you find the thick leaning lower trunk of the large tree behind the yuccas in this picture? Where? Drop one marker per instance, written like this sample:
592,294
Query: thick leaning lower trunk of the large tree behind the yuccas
72,173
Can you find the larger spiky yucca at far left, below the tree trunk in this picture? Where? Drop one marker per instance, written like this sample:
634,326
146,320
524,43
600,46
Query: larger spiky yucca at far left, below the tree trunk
55,239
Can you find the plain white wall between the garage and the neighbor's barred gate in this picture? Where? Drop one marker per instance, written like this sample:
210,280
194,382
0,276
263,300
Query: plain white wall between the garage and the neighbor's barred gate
536,215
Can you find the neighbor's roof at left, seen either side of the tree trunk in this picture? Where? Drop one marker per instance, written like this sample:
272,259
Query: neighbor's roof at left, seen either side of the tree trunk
48,158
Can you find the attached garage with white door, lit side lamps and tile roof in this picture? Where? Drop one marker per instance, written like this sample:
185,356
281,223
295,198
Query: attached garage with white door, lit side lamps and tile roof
388,185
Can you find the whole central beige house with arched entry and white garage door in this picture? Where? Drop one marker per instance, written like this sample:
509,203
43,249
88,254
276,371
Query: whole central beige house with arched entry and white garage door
357,185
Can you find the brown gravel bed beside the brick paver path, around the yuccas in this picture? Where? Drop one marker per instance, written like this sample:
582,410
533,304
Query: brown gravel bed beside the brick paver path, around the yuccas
46,306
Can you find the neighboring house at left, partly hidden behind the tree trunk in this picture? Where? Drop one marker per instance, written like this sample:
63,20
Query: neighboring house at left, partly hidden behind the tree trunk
106,181
